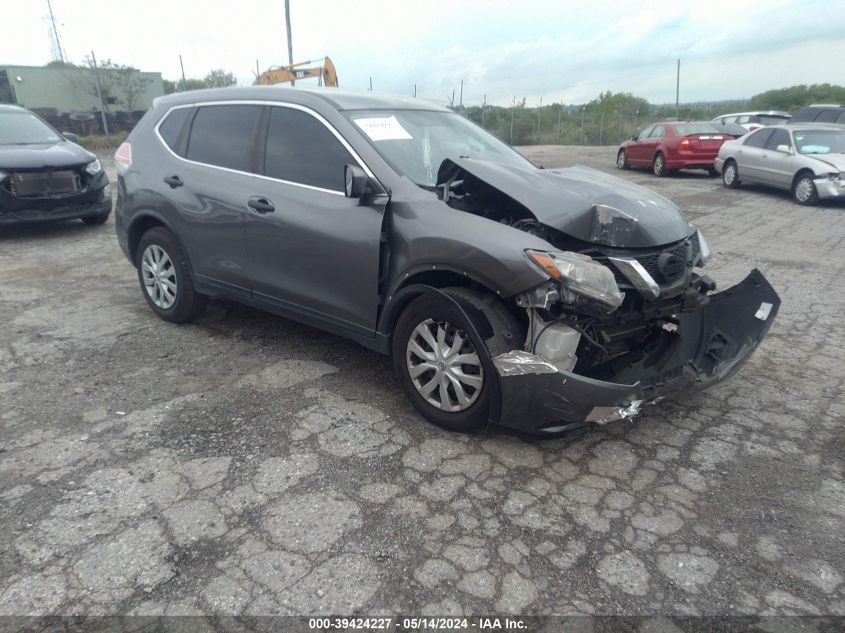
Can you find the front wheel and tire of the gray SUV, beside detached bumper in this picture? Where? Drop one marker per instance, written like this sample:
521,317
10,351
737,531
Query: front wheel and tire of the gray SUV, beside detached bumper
444,370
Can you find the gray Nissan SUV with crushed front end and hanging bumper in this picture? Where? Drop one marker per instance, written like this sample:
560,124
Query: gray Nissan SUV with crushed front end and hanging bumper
543,300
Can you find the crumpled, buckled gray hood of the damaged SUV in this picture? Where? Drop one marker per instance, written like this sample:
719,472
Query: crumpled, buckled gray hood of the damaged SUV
584,203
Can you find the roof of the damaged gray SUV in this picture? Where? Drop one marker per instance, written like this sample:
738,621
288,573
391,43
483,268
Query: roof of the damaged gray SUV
339,99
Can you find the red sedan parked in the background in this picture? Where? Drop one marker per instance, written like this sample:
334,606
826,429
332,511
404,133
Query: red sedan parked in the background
664,147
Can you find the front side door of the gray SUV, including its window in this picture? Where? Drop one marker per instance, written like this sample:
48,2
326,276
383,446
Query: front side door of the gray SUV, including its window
313,252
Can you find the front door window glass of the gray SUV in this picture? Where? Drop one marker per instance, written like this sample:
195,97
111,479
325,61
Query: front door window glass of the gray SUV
303,150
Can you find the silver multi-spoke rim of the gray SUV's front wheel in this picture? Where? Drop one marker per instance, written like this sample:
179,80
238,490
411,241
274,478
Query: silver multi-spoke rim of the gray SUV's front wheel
444,366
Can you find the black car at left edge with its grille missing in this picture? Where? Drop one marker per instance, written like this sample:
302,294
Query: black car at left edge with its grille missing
44,176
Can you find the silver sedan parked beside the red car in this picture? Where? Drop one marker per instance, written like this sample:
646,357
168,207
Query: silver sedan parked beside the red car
804,158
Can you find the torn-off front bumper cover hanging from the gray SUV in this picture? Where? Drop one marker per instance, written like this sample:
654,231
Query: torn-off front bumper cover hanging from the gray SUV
711,343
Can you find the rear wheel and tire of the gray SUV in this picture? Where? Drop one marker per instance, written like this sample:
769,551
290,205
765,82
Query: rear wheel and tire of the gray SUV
165,277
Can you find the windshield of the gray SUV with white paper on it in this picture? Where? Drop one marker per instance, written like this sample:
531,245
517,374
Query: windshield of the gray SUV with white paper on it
415,142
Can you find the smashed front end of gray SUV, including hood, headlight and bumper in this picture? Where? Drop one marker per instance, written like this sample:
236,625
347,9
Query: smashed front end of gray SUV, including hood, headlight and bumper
625,317
